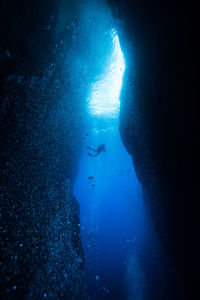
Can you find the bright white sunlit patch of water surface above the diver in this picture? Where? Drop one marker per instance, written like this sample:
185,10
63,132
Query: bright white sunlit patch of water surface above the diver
104,97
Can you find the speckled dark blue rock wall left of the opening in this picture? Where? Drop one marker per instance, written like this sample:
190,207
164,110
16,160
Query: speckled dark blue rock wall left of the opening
41,253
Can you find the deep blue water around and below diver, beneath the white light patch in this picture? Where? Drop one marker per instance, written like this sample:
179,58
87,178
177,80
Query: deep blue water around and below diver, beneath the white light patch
107,206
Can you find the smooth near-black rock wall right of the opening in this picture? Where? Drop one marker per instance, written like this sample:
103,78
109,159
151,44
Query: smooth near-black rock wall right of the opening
158,120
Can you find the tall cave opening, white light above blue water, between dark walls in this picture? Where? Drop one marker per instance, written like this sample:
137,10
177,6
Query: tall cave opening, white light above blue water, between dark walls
113,217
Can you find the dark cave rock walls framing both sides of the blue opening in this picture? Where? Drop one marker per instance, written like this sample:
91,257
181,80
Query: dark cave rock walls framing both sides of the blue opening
43,81
